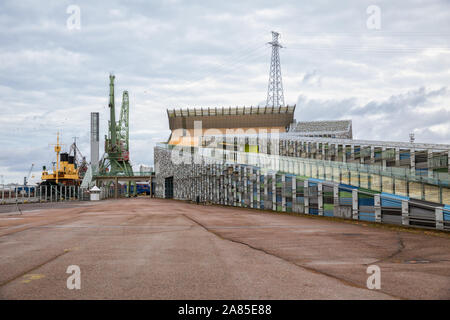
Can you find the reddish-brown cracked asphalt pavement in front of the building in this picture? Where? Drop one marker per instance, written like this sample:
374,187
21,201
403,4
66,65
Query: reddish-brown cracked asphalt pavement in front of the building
165,249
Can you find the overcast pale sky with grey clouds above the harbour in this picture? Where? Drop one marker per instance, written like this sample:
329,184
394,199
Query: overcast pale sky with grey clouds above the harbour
387,69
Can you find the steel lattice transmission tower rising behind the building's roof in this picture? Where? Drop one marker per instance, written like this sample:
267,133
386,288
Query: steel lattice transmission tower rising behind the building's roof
275,96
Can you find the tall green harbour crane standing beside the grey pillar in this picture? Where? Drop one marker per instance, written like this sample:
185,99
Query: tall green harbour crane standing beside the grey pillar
116,160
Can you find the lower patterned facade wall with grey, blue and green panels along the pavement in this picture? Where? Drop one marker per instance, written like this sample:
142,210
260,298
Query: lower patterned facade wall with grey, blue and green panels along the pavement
248,186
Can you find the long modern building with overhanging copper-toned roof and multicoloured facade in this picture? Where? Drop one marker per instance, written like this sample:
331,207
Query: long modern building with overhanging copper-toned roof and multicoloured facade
261,158
